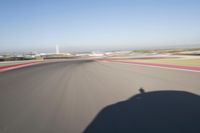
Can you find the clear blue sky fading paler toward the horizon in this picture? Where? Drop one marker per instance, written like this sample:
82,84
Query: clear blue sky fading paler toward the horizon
97,24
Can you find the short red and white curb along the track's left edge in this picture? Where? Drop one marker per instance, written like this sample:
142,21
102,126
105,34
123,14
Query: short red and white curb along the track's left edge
11,67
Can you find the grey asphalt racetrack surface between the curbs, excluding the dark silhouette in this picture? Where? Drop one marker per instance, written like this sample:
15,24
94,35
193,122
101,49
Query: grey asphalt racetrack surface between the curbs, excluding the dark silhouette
64,97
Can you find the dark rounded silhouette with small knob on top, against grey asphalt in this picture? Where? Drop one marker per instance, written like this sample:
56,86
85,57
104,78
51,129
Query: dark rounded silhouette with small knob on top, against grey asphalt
150,112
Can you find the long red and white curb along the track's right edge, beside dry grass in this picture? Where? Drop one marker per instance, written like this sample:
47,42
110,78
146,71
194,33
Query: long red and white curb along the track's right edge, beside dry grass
194,68
